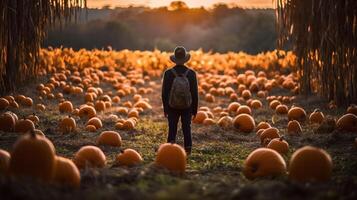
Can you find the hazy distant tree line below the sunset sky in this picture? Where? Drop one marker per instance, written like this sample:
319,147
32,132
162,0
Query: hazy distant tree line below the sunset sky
219,29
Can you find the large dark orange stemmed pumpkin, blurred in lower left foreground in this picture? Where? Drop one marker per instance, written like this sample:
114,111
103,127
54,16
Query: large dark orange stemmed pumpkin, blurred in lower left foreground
33,156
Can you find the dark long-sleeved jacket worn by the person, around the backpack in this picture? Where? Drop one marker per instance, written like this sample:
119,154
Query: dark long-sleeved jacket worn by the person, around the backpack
167,84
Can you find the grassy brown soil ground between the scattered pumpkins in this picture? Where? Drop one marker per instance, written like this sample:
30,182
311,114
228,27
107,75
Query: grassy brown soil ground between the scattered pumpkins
214,170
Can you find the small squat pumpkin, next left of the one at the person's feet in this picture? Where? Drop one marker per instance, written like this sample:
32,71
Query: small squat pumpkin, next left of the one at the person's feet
129,157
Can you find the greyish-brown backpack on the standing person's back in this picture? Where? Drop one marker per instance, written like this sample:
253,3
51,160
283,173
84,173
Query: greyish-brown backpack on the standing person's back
180,94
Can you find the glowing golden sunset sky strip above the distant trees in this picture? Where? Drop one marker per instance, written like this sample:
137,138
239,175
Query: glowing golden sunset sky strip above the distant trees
190,3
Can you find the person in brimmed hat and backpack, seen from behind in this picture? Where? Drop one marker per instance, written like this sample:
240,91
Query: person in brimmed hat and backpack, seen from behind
180,96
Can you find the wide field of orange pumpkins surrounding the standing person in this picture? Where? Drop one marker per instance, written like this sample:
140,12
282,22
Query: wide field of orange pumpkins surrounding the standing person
102,109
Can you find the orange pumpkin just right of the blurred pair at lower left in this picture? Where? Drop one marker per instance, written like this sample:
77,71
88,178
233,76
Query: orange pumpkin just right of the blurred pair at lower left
90,156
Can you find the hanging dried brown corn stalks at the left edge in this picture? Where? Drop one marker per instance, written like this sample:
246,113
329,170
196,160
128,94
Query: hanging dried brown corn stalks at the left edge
23,27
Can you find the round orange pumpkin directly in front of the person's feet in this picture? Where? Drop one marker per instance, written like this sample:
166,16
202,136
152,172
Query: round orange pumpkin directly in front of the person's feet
171,157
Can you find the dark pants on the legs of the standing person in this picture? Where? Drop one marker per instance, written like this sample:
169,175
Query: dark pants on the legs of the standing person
173,118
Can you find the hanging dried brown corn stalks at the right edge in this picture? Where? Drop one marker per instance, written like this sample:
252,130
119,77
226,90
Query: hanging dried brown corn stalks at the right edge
324,34
